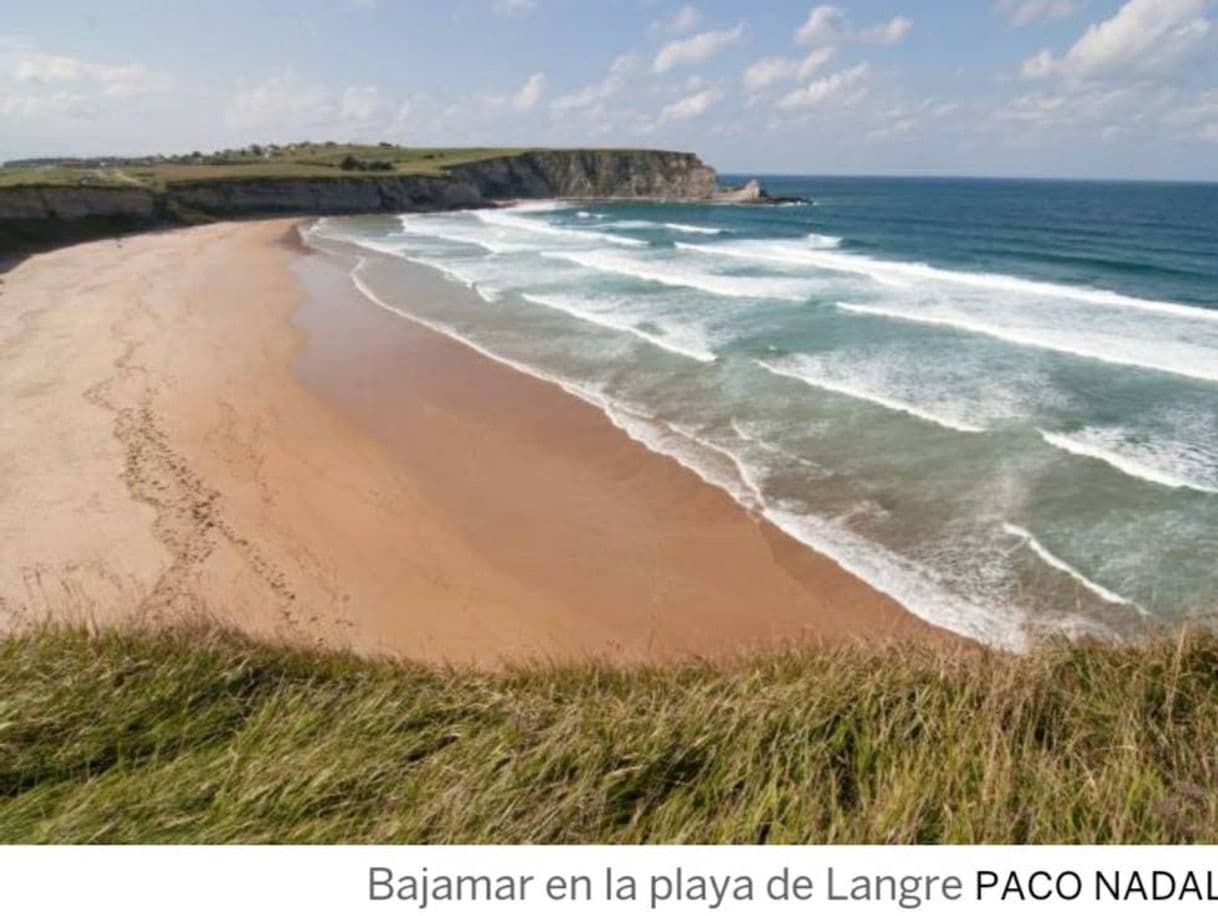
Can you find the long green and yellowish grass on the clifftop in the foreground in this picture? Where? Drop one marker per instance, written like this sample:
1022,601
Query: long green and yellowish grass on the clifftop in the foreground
200,736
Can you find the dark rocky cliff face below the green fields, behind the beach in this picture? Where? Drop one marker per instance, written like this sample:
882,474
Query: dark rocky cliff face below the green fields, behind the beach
54,214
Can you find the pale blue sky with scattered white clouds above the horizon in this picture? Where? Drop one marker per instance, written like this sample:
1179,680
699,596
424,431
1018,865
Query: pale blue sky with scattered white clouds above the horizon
1031,88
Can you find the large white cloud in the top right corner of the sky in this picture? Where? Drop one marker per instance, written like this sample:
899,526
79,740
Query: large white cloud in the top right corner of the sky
1142,37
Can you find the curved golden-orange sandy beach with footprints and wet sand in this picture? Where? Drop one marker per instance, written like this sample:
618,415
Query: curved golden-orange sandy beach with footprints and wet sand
214,422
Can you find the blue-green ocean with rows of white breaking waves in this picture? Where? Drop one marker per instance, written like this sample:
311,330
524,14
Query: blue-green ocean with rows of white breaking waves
996,401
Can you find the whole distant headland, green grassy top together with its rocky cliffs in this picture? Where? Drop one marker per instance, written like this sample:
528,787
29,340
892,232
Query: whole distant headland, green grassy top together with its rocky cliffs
49,203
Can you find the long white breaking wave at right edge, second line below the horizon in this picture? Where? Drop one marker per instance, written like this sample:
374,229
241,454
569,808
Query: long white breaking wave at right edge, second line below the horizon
1144,353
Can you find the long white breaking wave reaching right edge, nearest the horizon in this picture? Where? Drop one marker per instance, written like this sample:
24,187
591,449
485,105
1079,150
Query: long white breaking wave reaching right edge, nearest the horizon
903,273
